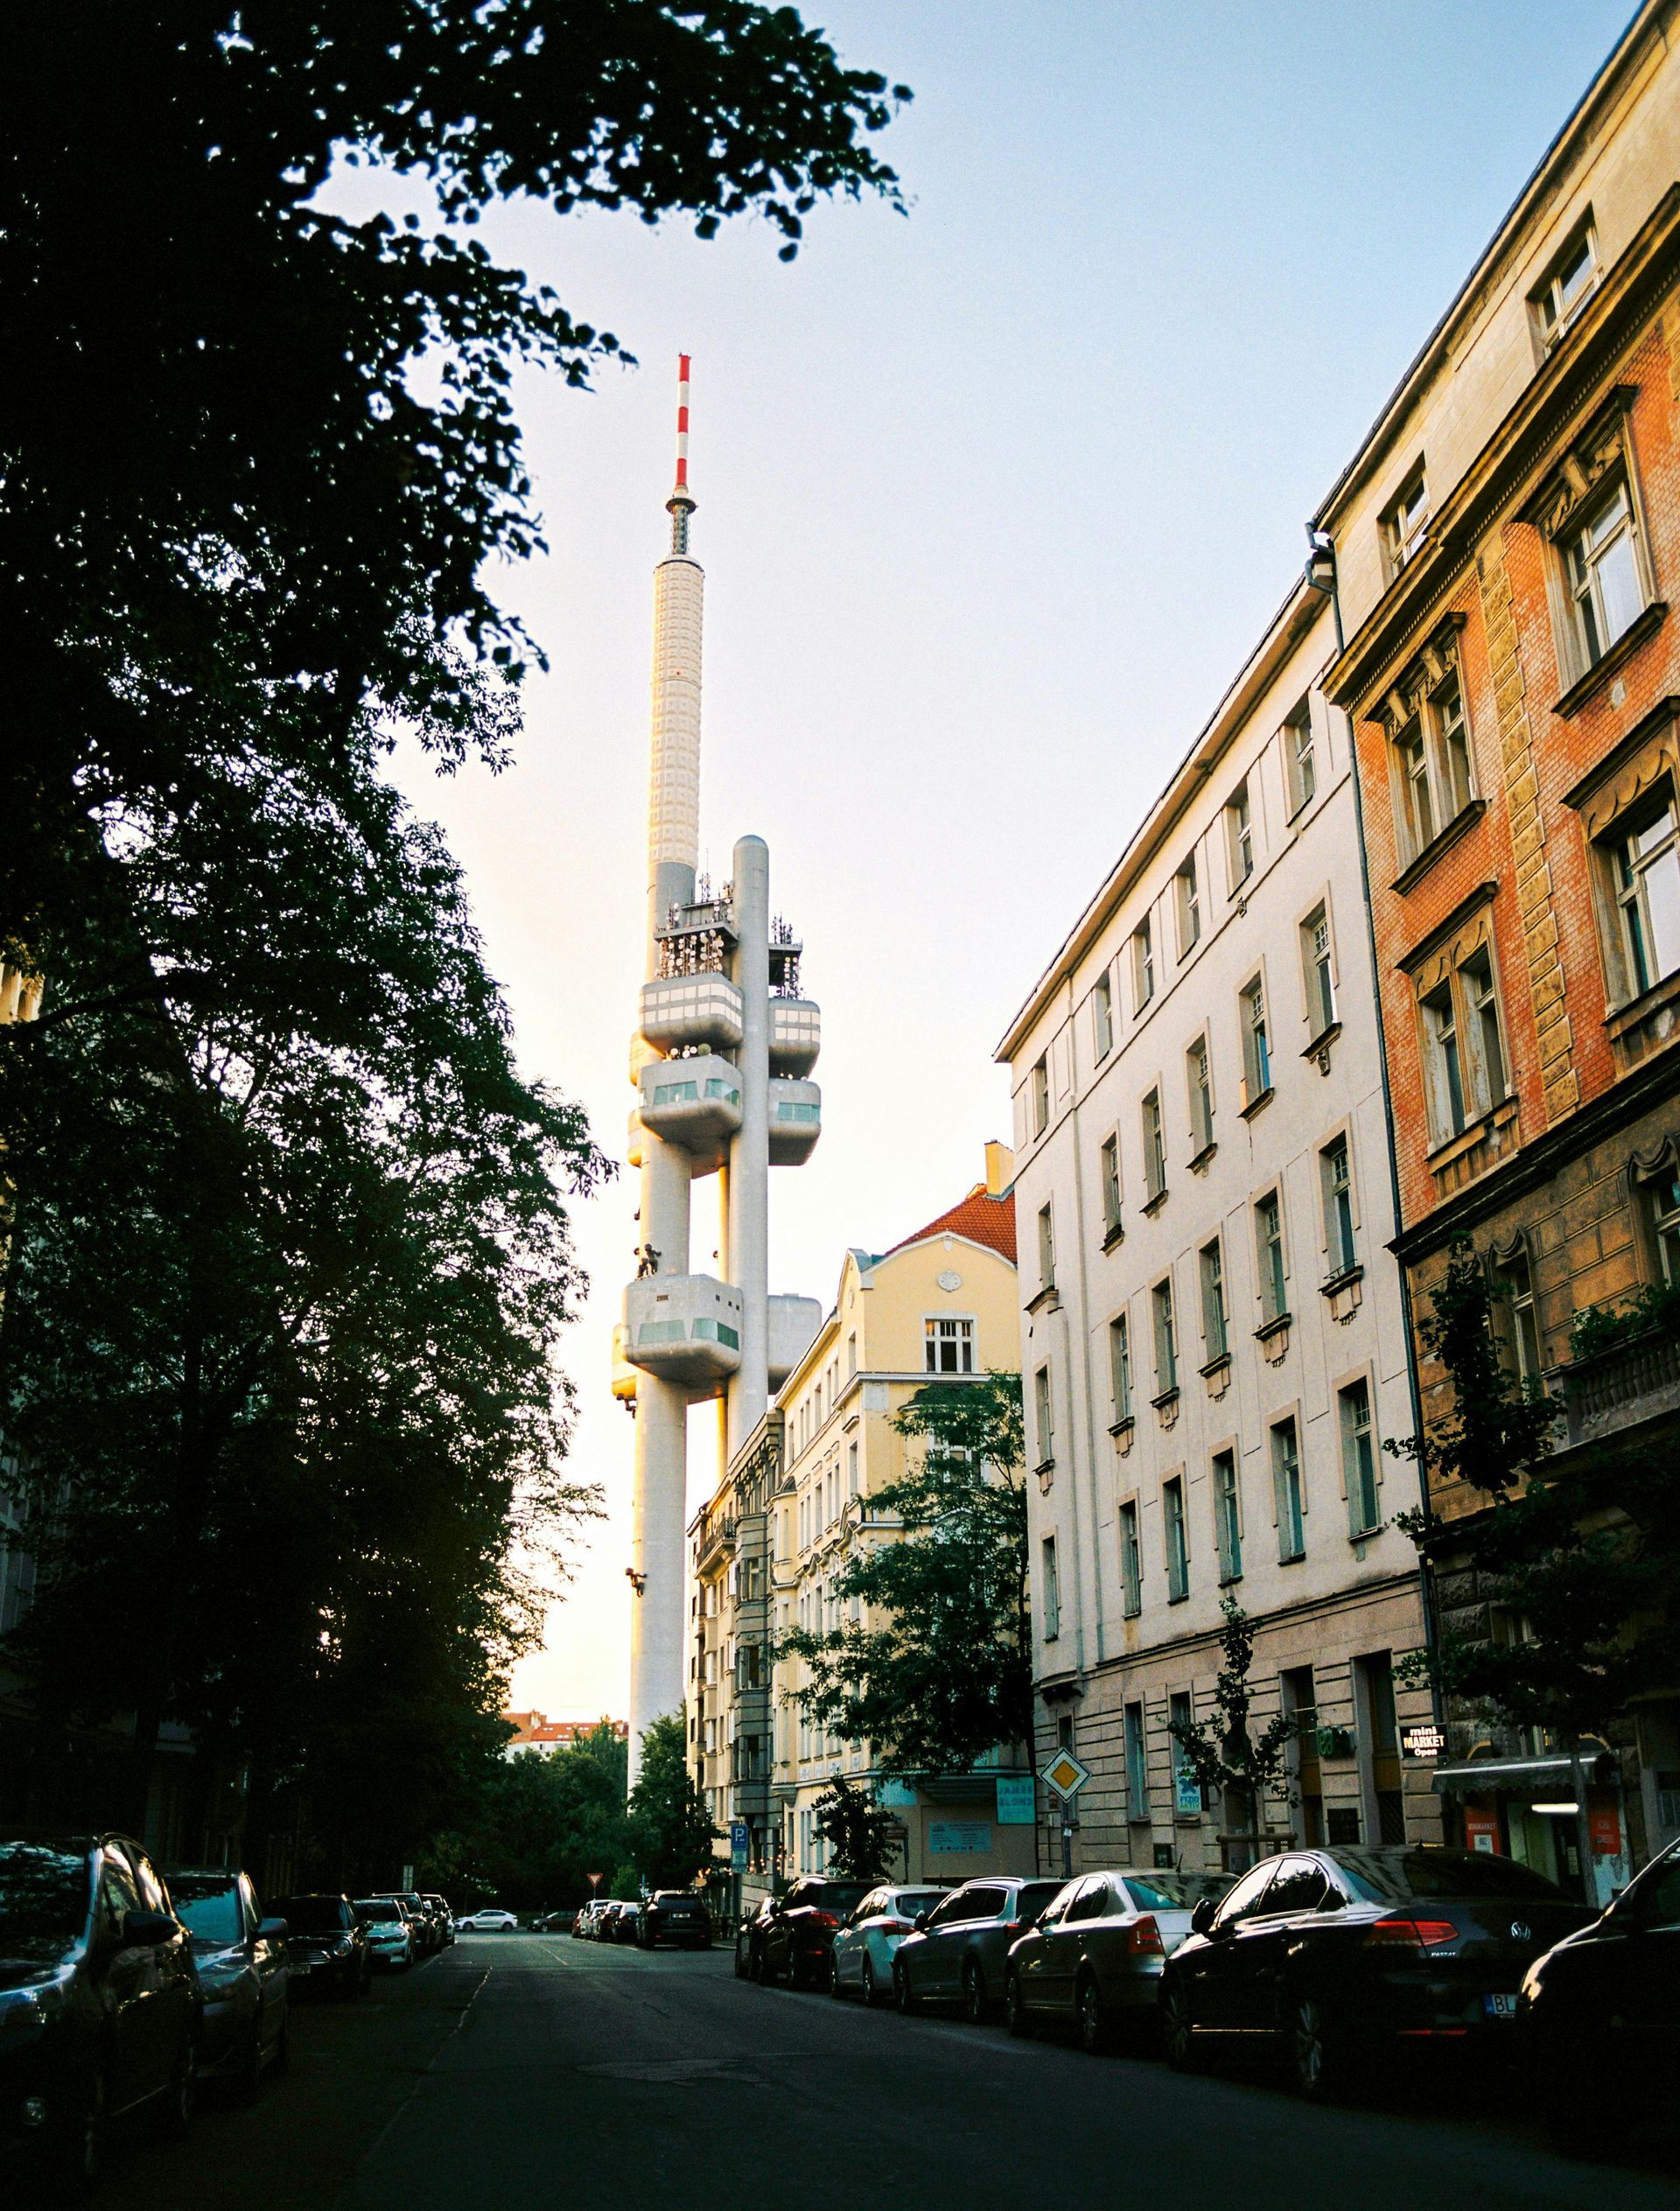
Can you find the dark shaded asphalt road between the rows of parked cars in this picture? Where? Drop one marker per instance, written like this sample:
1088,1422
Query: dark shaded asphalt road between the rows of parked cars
527,2073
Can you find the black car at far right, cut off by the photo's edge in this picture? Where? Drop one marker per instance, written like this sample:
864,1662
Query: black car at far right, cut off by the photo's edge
1599,2015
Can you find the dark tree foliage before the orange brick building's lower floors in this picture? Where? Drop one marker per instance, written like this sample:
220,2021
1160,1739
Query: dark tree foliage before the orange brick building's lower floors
1586,1558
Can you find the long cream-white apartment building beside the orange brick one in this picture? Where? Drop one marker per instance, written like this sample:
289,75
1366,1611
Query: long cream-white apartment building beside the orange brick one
1212,1334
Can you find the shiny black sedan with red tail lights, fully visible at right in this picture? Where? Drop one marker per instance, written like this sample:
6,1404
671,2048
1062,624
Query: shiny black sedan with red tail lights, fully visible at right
1336,1958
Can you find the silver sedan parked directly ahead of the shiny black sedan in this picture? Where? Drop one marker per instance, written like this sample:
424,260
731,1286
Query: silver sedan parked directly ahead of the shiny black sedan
1095,1953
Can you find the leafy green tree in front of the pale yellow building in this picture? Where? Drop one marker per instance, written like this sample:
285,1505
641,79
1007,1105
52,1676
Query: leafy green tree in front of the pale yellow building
949,1673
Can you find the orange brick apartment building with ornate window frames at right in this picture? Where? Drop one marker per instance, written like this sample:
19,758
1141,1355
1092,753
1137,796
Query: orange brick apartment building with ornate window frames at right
1504,549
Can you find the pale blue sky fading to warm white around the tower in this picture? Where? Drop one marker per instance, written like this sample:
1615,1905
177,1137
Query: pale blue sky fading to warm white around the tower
994,499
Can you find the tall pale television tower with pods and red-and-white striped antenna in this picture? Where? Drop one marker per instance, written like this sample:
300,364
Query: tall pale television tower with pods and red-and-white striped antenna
722,1065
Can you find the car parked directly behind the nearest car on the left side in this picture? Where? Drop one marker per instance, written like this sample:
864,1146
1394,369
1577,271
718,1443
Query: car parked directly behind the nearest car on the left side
242,1971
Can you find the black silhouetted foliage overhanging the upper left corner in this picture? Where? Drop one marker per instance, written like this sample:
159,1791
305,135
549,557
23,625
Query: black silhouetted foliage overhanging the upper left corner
222,490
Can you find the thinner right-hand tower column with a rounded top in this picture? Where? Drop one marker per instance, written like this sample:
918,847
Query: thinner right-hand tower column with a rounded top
750,1149
